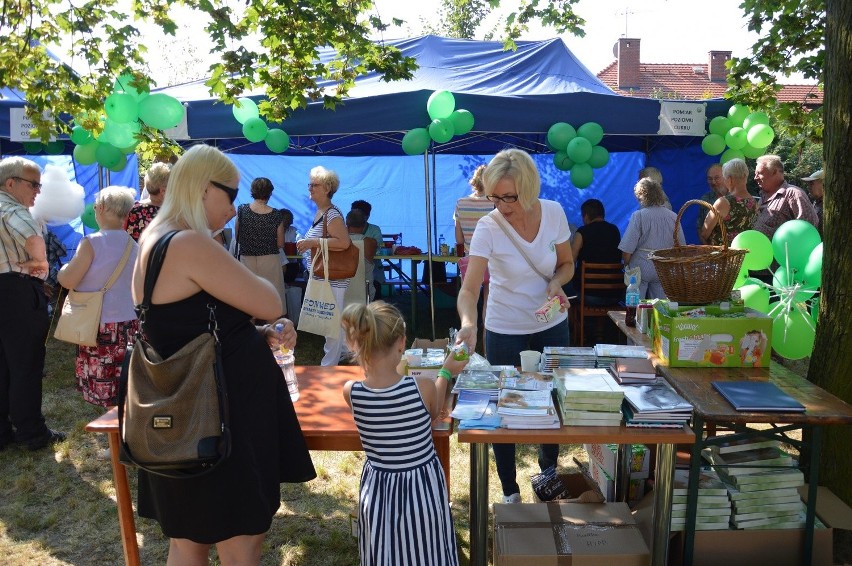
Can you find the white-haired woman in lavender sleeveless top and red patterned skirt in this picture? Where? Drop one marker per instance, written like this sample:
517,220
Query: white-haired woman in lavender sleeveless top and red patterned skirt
98,367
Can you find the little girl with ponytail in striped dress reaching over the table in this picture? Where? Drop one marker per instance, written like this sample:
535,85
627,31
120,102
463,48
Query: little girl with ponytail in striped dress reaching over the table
404,514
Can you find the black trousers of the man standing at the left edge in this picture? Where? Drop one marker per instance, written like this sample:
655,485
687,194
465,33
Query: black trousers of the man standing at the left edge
24,324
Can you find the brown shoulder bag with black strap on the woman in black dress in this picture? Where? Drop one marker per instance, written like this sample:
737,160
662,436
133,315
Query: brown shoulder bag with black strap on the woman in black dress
173,413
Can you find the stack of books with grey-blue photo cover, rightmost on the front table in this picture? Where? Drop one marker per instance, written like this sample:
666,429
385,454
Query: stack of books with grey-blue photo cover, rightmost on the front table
655,405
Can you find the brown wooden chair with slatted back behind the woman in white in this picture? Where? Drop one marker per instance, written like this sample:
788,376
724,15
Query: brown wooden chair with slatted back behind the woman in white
596,277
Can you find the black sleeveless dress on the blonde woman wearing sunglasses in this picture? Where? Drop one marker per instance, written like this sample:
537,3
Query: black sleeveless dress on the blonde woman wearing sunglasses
241,496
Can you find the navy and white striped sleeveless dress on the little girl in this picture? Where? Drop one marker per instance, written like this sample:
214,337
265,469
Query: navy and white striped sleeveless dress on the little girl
404,514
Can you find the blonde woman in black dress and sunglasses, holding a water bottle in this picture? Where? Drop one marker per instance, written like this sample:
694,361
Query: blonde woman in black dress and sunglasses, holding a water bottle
231,507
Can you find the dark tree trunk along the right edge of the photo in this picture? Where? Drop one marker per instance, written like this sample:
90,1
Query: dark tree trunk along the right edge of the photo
831,362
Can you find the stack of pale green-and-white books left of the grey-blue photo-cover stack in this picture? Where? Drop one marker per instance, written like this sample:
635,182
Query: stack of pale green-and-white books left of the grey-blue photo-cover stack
588,397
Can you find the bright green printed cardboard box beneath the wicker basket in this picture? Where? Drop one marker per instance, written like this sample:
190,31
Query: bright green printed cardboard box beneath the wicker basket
718,339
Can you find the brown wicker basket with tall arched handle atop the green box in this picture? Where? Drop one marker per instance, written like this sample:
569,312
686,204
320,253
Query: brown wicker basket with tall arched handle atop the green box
698,275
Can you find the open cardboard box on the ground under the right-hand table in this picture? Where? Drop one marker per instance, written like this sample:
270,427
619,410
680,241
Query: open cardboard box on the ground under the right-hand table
778,547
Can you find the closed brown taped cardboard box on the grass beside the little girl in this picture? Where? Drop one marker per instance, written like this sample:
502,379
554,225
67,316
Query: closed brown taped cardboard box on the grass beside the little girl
575,534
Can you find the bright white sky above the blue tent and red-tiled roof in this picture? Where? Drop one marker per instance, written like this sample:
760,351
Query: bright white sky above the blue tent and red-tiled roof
672,31
